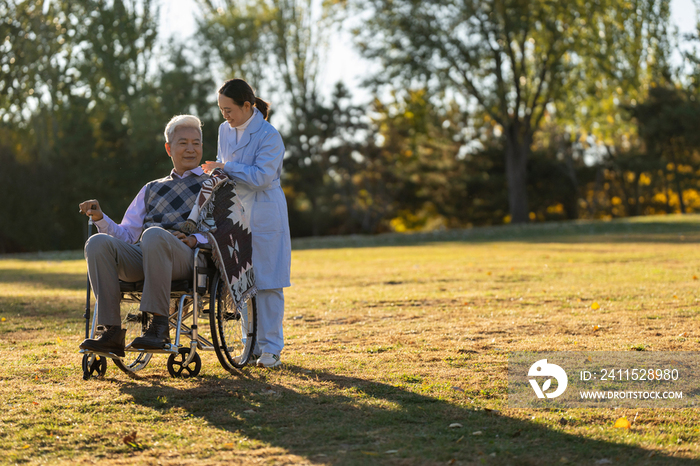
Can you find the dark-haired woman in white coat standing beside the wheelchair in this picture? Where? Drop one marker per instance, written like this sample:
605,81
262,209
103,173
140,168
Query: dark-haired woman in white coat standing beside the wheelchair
250,151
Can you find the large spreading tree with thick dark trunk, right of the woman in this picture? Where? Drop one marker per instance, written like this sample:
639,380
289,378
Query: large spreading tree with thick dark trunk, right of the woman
511,58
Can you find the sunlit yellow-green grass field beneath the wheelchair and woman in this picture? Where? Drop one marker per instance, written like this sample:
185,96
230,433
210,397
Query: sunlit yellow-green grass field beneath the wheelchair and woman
390,341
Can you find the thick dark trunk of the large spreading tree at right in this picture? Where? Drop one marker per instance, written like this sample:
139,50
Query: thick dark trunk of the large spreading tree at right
517,153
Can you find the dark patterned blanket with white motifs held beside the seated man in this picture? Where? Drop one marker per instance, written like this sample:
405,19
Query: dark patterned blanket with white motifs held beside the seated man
218,213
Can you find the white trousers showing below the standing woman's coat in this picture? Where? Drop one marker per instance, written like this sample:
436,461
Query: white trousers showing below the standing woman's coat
270,338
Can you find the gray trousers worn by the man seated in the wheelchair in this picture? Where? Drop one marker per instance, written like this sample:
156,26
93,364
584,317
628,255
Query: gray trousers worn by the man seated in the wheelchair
158,259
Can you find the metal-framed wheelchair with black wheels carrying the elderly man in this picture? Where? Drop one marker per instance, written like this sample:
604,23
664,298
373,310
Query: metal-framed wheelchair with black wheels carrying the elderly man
232,332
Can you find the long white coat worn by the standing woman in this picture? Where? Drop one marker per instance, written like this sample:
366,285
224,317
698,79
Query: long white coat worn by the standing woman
255,163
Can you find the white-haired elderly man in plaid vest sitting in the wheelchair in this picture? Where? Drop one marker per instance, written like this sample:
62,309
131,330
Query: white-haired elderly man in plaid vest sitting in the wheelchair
147,245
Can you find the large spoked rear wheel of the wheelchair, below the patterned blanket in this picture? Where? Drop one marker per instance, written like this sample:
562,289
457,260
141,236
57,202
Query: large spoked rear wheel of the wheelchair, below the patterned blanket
233,332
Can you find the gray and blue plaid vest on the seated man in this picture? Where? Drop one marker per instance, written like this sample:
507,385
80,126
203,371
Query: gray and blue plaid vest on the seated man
169,200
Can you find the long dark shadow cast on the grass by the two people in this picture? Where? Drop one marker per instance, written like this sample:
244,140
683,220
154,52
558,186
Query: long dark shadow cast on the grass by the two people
345,420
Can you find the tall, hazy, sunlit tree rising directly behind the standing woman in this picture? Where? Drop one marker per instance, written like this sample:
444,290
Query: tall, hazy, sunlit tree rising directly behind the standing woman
278,46
